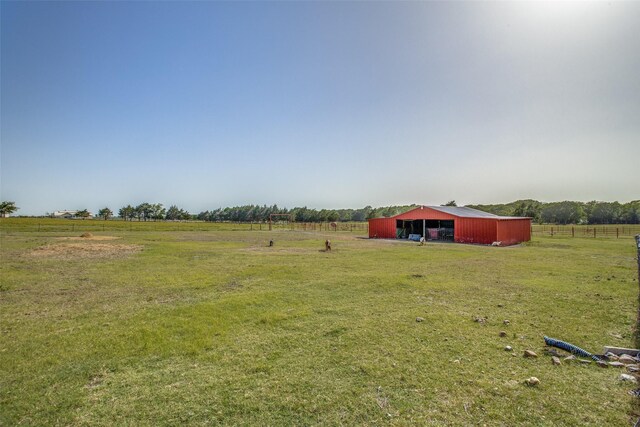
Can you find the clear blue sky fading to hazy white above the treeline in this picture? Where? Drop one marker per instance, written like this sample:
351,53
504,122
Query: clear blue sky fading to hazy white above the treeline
320,104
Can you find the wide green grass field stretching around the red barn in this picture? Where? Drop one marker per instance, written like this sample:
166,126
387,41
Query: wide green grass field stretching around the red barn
202,327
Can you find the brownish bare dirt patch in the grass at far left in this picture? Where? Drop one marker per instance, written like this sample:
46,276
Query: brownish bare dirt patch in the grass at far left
86,250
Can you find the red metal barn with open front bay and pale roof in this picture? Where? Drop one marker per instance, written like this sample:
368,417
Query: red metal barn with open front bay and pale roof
452,223
